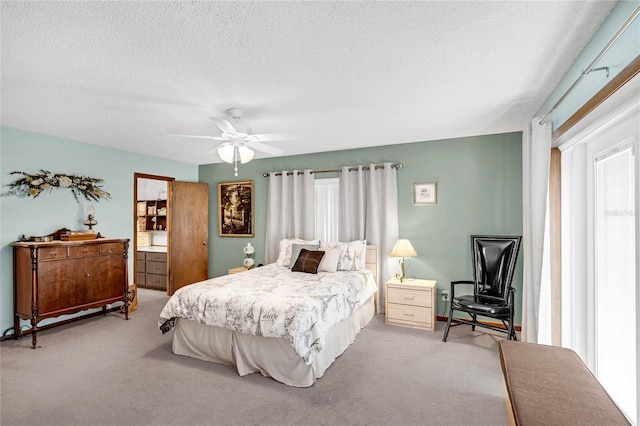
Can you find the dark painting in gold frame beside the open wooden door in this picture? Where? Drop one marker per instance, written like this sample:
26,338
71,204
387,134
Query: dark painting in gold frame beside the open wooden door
235,209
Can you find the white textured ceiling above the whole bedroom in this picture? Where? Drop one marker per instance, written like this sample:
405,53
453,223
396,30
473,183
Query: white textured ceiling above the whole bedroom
338,74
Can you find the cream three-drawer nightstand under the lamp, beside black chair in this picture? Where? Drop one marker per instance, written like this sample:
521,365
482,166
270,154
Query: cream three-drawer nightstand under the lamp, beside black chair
411,303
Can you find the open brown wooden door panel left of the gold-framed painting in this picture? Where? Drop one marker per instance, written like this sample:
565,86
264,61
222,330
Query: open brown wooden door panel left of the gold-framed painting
188,234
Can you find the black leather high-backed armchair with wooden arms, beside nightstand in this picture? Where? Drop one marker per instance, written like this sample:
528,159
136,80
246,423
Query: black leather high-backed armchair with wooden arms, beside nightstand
494,261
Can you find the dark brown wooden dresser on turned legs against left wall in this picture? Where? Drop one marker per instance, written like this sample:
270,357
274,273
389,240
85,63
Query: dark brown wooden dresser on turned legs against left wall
63,277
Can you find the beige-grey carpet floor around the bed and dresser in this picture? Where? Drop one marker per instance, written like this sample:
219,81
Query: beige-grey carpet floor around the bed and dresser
108,371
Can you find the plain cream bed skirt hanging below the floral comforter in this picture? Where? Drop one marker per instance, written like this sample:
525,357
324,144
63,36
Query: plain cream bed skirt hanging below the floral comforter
270,356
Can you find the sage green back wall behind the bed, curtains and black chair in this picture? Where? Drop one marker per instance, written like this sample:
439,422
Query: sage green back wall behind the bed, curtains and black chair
479,192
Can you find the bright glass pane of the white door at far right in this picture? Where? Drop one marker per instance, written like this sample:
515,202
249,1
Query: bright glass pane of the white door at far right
615,275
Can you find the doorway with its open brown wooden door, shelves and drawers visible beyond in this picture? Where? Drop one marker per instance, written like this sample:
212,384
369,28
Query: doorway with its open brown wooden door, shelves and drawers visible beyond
171,228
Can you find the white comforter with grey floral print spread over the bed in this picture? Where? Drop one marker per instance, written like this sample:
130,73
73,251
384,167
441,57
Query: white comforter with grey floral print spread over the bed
272,301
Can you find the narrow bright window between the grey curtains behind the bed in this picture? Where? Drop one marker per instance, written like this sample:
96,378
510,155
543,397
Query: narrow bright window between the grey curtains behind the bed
327,202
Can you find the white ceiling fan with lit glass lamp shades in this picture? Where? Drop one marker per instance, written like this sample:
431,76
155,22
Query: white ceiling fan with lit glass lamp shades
240,145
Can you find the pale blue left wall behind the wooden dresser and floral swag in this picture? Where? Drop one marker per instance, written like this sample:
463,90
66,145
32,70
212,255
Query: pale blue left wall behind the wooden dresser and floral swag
25,151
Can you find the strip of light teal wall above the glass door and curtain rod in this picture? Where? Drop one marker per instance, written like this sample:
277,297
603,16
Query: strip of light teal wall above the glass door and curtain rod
621,53
